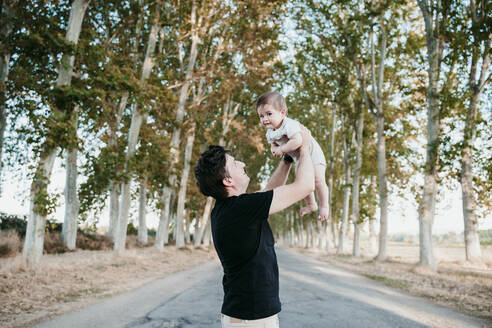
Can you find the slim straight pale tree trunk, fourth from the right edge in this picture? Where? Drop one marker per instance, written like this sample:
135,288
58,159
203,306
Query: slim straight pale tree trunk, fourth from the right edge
355,186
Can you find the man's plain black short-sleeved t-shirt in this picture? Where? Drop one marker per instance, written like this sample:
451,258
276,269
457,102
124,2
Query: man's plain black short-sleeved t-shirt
245,245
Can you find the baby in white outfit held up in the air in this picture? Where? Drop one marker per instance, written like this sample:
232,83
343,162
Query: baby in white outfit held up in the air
283,134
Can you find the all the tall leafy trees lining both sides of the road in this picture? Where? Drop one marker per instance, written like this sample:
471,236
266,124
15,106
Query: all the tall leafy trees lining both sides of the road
125,90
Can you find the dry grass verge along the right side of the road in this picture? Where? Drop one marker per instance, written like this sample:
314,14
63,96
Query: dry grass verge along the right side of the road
464,286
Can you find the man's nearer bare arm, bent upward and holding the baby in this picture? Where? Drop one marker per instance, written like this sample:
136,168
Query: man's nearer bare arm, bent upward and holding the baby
284,196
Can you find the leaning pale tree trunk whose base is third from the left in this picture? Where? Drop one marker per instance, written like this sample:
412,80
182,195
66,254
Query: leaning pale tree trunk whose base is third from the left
138,118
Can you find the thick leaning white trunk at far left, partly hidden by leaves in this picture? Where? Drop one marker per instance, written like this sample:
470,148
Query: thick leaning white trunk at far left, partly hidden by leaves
34,241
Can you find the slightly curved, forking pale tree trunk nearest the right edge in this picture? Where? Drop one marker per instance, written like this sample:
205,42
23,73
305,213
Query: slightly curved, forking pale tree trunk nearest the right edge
472,241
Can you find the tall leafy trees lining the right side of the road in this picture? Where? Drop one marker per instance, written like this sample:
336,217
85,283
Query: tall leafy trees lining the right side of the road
392,61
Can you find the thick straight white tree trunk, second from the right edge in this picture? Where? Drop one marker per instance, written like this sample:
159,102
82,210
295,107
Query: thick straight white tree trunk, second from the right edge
428,202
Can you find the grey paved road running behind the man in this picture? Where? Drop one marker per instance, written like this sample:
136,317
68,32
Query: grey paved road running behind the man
313,294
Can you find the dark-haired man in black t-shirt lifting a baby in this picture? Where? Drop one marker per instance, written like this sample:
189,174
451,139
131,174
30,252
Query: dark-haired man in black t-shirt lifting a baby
242,236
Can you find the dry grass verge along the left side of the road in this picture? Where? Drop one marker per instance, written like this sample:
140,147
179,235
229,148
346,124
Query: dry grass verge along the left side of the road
63,282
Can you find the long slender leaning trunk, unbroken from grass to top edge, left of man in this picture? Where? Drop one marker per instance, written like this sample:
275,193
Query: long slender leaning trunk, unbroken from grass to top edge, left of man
176,136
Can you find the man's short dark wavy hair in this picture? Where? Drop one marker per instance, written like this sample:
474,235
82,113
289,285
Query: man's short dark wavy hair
211,170
